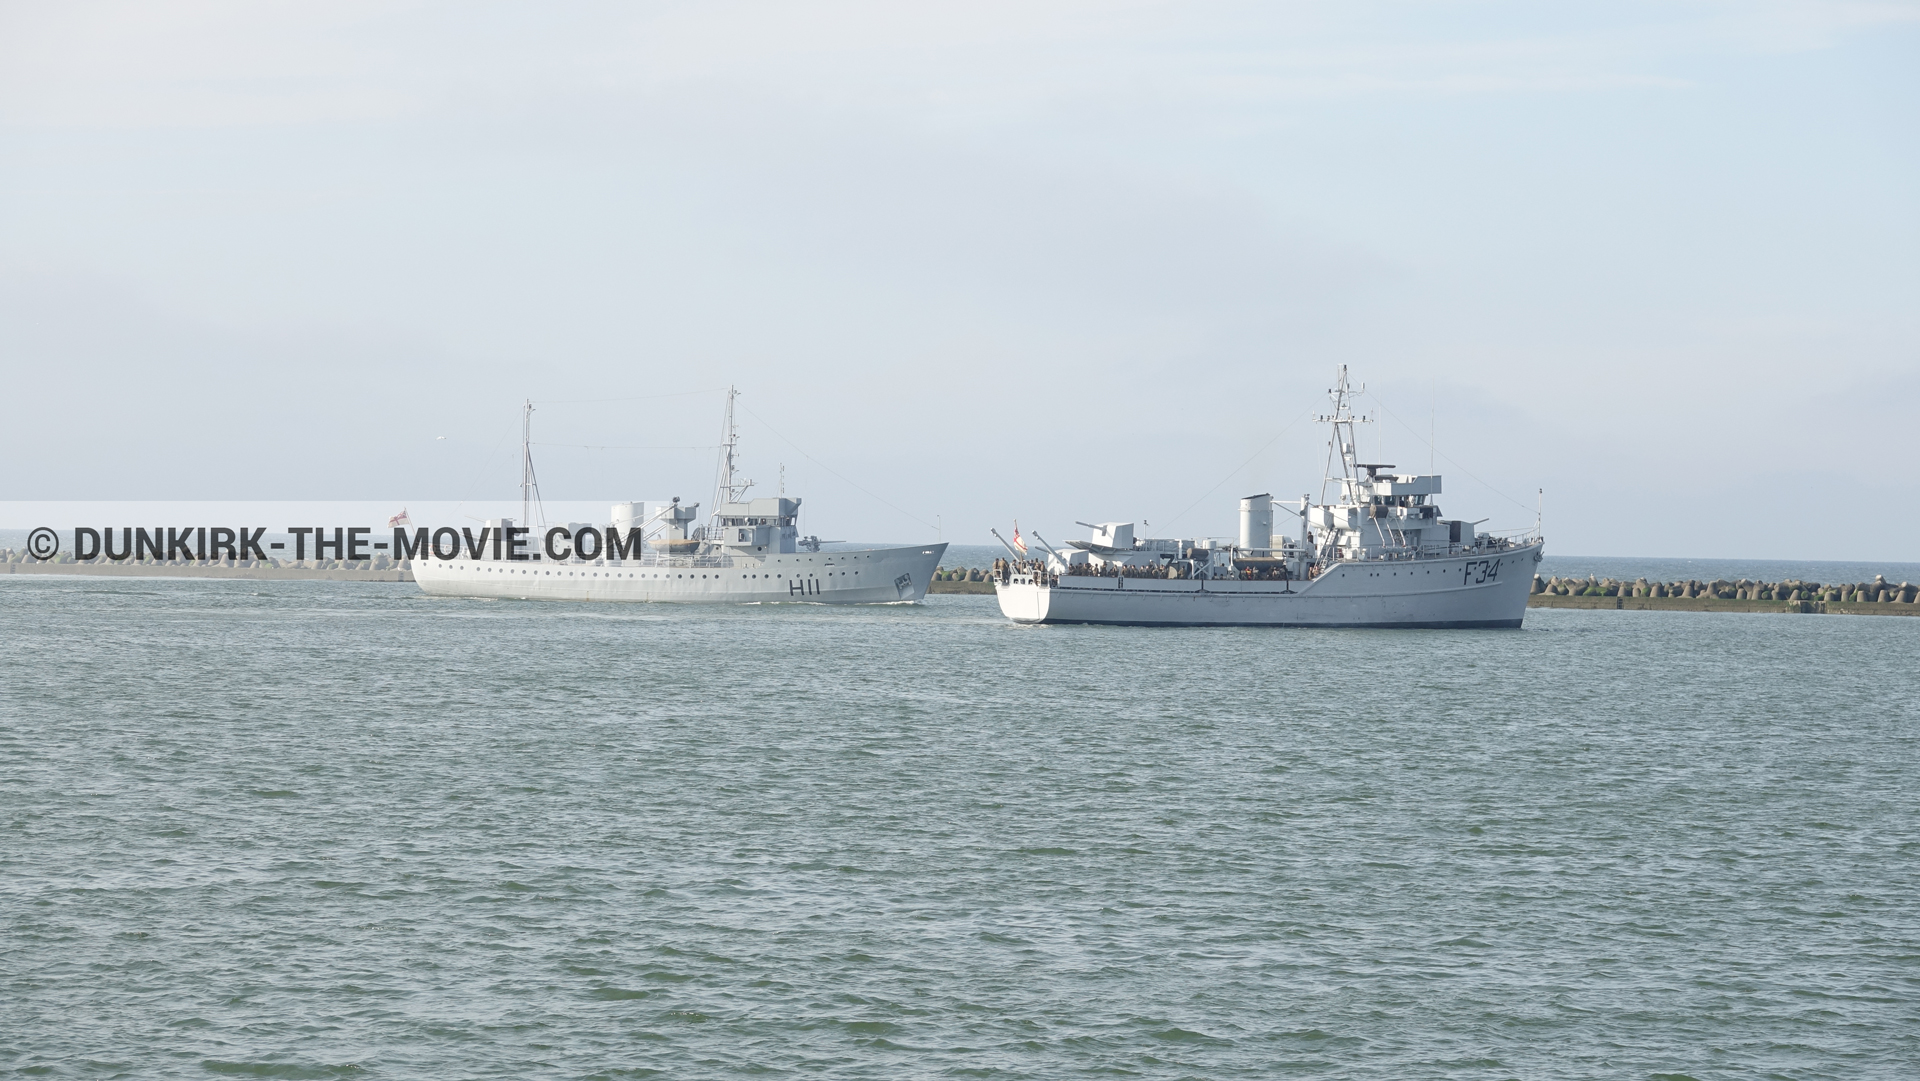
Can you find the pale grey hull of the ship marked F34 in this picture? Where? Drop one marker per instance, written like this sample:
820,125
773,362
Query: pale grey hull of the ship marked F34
1483,590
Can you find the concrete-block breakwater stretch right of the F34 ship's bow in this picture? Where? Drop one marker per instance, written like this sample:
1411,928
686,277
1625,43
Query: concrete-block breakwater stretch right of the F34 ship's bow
1729,596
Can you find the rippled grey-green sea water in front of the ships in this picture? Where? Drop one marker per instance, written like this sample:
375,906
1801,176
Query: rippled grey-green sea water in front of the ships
324,830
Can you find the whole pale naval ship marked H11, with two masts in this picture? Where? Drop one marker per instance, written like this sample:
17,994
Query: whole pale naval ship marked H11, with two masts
750,552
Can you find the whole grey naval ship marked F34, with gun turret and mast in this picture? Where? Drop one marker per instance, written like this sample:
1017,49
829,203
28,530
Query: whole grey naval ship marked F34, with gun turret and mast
1381,556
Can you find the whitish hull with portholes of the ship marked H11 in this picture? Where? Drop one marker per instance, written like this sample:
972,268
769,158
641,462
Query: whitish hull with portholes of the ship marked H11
867,577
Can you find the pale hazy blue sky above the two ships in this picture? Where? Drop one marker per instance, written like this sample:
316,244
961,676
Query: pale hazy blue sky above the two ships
982,260
